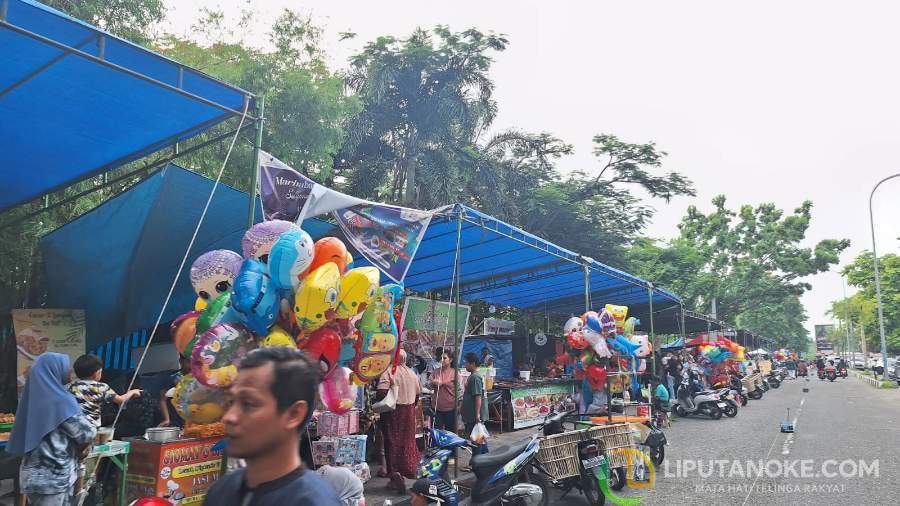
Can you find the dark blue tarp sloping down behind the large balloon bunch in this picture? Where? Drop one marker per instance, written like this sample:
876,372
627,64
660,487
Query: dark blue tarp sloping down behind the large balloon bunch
118,260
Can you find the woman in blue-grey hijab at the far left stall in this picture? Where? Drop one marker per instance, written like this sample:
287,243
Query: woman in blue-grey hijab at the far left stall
50,433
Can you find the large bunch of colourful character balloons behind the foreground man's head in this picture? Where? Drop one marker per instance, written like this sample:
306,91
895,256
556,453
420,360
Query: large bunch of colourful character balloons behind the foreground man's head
286,290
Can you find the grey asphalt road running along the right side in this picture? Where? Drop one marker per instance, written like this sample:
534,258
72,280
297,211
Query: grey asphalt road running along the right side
845,451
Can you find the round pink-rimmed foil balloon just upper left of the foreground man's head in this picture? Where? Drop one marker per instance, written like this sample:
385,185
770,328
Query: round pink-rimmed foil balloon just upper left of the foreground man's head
218,352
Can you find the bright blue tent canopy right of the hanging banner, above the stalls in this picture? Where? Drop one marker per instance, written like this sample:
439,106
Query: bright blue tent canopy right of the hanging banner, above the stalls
504,265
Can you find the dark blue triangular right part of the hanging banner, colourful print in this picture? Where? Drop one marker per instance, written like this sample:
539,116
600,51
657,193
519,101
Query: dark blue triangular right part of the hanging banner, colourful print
387,236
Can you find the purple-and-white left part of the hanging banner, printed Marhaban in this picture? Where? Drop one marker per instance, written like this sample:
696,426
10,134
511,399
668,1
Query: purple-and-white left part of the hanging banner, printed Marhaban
289,195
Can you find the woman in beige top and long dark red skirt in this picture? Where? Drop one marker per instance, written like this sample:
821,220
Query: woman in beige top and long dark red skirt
399,425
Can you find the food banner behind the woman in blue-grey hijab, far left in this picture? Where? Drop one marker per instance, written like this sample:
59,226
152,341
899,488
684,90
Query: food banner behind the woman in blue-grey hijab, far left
42,330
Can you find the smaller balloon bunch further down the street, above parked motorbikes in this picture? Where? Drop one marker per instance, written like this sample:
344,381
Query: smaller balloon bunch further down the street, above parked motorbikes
606,340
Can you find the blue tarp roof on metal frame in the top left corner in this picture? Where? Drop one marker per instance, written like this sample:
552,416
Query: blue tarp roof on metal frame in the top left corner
72,103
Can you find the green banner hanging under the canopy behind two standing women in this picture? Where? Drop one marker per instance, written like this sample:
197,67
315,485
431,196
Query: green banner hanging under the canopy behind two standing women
428,324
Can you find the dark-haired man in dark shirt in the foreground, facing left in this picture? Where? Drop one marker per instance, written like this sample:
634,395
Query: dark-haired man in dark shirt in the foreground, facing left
269,404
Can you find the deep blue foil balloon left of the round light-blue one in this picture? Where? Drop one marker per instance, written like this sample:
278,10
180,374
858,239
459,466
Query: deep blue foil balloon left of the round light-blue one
254,298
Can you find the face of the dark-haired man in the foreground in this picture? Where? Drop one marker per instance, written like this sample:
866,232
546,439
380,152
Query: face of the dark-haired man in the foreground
253,424
